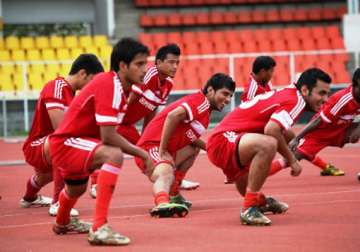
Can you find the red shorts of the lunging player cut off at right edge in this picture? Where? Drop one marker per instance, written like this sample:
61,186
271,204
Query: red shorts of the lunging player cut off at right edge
318,139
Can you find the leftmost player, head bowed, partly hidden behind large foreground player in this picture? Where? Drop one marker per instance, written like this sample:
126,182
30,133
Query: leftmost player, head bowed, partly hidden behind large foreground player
52,104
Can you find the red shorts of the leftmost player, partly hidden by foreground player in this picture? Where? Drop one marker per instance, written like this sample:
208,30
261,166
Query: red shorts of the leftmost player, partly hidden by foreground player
35,156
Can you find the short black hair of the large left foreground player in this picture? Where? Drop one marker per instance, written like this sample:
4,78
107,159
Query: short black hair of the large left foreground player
125,50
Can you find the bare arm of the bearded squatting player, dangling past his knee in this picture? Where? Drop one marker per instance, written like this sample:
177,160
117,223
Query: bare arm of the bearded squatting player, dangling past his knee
275,130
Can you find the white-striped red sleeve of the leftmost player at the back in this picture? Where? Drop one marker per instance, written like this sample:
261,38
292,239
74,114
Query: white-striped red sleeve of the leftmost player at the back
54,95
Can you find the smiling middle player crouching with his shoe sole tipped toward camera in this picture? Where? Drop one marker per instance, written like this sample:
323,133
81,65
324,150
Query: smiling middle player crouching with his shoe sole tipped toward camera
172,140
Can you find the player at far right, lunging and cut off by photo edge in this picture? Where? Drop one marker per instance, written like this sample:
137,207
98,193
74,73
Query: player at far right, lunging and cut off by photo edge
332,126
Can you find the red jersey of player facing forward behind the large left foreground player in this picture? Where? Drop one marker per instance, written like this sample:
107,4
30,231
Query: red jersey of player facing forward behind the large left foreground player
151,94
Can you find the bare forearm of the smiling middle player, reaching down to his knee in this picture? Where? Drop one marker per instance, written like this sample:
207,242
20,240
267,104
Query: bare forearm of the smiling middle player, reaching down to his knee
171,122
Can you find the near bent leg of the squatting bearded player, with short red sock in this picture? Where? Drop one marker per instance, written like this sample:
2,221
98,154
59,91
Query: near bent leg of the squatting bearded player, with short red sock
257,151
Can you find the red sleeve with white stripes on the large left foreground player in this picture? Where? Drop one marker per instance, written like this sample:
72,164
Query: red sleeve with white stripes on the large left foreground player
108,102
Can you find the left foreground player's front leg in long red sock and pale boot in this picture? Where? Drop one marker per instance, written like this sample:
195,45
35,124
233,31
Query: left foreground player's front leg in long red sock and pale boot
109,161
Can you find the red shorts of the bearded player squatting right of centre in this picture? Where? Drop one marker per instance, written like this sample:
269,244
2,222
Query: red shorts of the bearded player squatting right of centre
222,152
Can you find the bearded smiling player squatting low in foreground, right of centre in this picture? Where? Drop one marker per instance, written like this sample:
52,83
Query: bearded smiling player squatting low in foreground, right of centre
246,140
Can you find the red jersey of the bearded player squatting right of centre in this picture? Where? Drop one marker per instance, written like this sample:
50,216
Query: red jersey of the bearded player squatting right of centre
282,106
